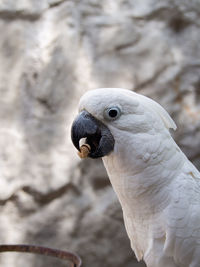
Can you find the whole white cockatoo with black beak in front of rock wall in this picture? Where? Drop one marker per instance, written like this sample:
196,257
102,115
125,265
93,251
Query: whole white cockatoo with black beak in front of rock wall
157,186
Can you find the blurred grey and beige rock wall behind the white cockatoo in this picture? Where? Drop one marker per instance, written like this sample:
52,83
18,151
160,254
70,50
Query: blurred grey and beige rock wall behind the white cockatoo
51,52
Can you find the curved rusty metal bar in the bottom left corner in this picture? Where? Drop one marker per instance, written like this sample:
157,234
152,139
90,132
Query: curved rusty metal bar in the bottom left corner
60,254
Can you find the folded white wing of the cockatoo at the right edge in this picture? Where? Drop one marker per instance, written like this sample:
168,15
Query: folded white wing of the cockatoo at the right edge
183,218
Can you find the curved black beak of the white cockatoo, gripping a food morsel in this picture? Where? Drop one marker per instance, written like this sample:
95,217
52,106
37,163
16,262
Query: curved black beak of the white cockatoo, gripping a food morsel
97,135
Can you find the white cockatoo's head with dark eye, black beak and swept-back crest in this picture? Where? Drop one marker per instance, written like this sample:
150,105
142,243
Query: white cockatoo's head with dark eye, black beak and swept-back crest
109,117
